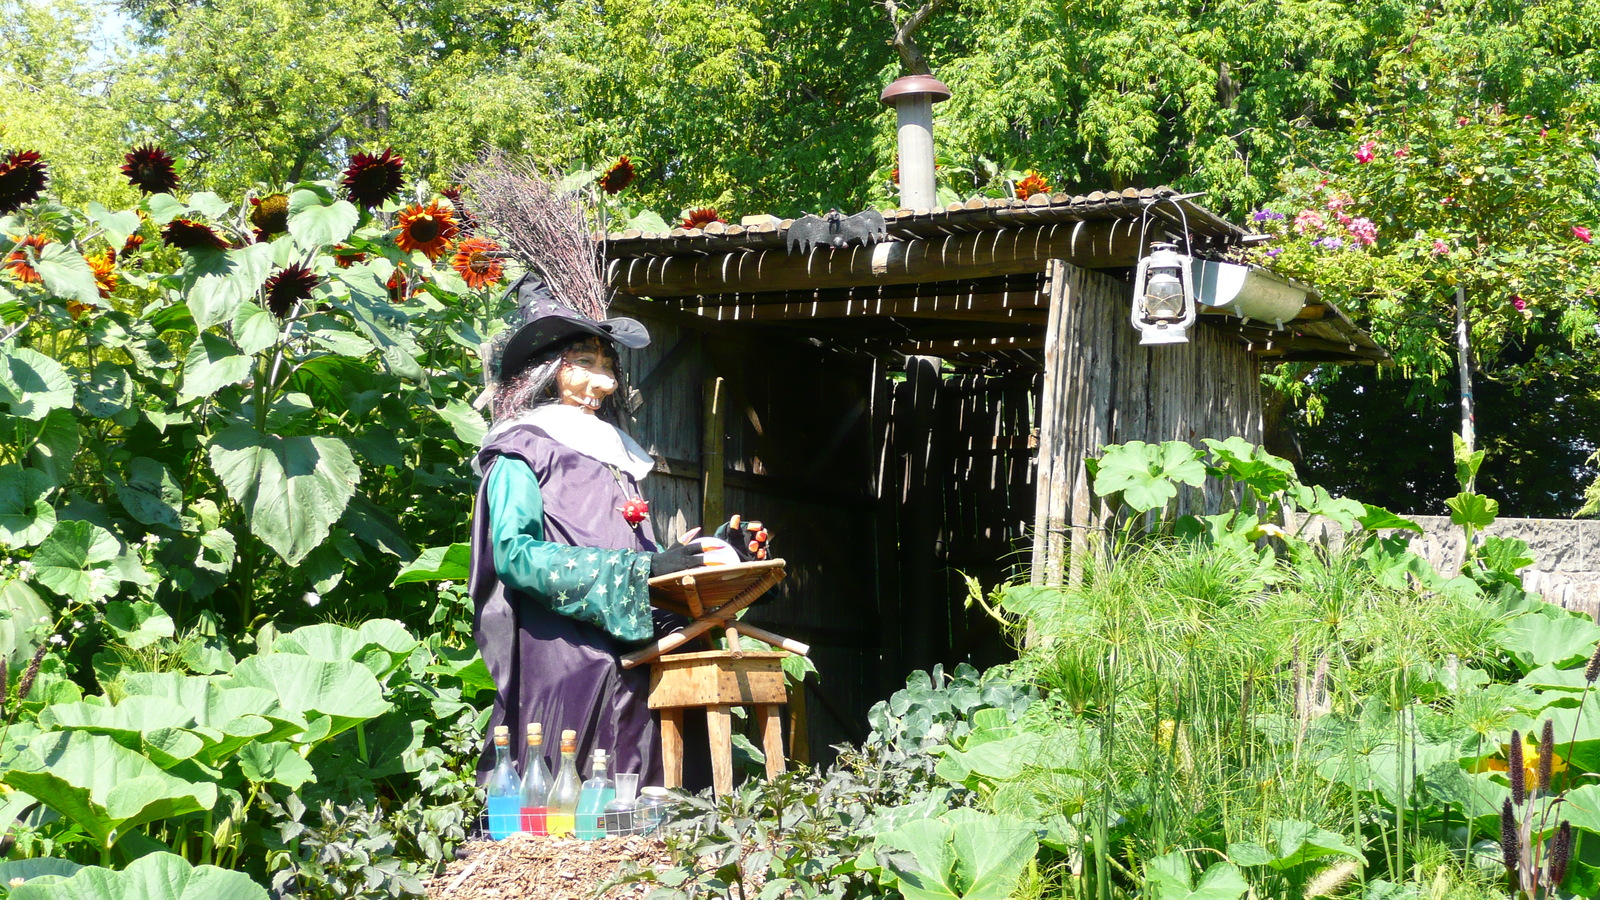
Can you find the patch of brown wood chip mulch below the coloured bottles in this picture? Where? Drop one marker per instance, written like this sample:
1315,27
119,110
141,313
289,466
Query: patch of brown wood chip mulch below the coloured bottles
524,867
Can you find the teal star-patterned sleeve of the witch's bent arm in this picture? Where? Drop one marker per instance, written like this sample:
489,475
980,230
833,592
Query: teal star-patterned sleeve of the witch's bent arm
609,589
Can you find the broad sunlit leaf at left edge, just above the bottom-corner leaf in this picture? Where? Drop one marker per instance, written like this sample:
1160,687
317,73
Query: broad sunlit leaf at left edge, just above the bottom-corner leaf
102,785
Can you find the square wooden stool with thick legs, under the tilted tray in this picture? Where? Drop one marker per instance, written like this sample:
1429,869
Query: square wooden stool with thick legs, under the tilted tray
718,681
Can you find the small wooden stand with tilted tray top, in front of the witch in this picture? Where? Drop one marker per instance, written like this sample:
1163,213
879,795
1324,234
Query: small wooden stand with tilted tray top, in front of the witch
718,680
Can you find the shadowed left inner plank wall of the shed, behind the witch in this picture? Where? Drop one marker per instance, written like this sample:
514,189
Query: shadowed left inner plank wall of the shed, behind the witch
799,456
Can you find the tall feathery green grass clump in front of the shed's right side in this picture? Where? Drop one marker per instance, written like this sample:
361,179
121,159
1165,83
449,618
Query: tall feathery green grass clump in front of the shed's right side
1201,693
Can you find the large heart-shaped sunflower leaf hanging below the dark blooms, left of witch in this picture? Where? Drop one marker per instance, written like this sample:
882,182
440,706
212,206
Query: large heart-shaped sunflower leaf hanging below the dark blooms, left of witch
294,489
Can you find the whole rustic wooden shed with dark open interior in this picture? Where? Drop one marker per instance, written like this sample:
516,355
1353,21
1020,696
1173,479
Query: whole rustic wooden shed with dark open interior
914,412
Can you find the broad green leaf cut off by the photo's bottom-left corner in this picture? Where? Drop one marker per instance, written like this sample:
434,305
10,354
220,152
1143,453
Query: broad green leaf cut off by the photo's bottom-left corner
154,877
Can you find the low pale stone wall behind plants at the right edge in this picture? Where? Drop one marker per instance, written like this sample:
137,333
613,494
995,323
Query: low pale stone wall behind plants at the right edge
1566,555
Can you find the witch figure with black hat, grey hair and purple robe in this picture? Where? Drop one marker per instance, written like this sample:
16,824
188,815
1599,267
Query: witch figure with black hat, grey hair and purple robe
562,547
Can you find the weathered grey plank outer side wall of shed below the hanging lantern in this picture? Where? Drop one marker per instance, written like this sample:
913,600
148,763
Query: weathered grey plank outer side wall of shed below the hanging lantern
1103,387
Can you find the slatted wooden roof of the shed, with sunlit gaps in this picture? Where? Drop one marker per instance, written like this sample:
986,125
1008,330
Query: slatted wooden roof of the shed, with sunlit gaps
961,283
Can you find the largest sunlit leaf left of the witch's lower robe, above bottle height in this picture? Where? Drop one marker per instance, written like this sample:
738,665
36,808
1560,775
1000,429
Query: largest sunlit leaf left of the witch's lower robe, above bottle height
343,691
